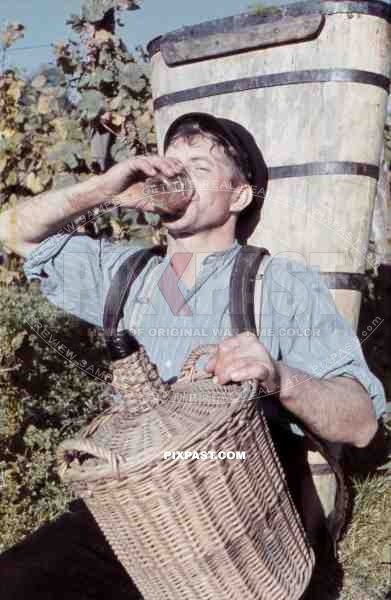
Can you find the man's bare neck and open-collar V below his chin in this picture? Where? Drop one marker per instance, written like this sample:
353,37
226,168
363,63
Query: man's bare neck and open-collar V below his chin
186,254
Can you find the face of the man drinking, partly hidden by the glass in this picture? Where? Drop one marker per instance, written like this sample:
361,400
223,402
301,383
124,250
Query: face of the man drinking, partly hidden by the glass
211,172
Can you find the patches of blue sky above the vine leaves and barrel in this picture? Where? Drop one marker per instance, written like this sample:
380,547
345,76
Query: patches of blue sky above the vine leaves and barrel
45,22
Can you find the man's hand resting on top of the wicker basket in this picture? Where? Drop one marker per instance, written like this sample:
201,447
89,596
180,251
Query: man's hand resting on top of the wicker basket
243,357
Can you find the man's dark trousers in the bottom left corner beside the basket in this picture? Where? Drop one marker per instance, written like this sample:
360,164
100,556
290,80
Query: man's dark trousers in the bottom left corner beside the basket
65,559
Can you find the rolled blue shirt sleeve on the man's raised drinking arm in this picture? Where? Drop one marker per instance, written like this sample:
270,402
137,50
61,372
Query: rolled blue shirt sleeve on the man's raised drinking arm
75,270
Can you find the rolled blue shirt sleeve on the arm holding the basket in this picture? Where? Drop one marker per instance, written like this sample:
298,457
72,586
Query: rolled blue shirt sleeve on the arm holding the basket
313,335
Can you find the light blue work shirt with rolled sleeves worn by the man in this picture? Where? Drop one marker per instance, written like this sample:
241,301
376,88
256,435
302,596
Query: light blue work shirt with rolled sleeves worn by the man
300,323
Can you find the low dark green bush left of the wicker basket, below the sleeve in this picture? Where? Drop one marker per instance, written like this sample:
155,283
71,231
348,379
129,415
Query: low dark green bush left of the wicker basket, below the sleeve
44,398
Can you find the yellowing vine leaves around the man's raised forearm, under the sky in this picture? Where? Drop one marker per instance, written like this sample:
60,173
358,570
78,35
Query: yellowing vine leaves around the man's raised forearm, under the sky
69,121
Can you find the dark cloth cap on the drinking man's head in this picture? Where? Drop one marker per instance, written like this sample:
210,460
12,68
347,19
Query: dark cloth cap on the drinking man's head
249,155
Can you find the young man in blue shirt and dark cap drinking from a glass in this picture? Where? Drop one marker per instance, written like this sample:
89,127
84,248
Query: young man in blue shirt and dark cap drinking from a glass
185,291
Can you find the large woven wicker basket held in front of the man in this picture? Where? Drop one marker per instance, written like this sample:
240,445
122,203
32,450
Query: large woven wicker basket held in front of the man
190,529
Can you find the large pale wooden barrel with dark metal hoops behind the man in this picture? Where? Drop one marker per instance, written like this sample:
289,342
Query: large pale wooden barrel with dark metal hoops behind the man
310,81
